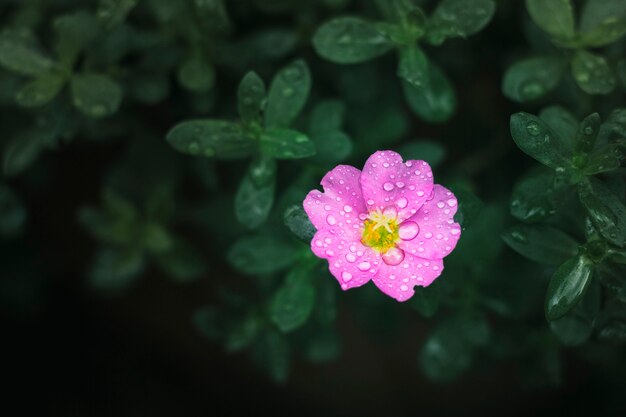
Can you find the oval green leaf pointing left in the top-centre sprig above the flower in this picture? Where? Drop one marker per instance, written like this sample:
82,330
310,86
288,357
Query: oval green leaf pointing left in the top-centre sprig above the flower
349,40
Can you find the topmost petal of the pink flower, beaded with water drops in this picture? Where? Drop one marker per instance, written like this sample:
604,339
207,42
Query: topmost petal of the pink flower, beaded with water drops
387,181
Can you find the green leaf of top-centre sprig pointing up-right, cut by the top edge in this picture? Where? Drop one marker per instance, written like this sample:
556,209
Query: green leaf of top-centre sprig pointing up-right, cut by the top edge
459,18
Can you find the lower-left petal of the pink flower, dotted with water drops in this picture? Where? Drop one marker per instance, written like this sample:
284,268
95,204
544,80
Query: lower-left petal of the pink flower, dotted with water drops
352,263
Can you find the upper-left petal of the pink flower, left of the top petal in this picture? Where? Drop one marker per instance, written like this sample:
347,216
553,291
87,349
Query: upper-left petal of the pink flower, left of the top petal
339,206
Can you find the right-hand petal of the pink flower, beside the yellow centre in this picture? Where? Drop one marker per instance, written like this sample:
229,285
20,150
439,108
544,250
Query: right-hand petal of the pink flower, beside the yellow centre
438,233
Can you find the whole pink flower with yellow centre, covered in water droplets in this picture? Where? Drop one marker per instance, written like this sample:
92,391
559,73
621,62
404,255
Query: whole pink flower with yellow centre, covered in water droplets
388,223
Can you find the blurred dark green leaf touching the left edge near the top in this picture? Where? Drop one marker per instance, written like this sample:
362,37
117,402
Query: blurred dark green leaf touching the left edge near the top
17,55
